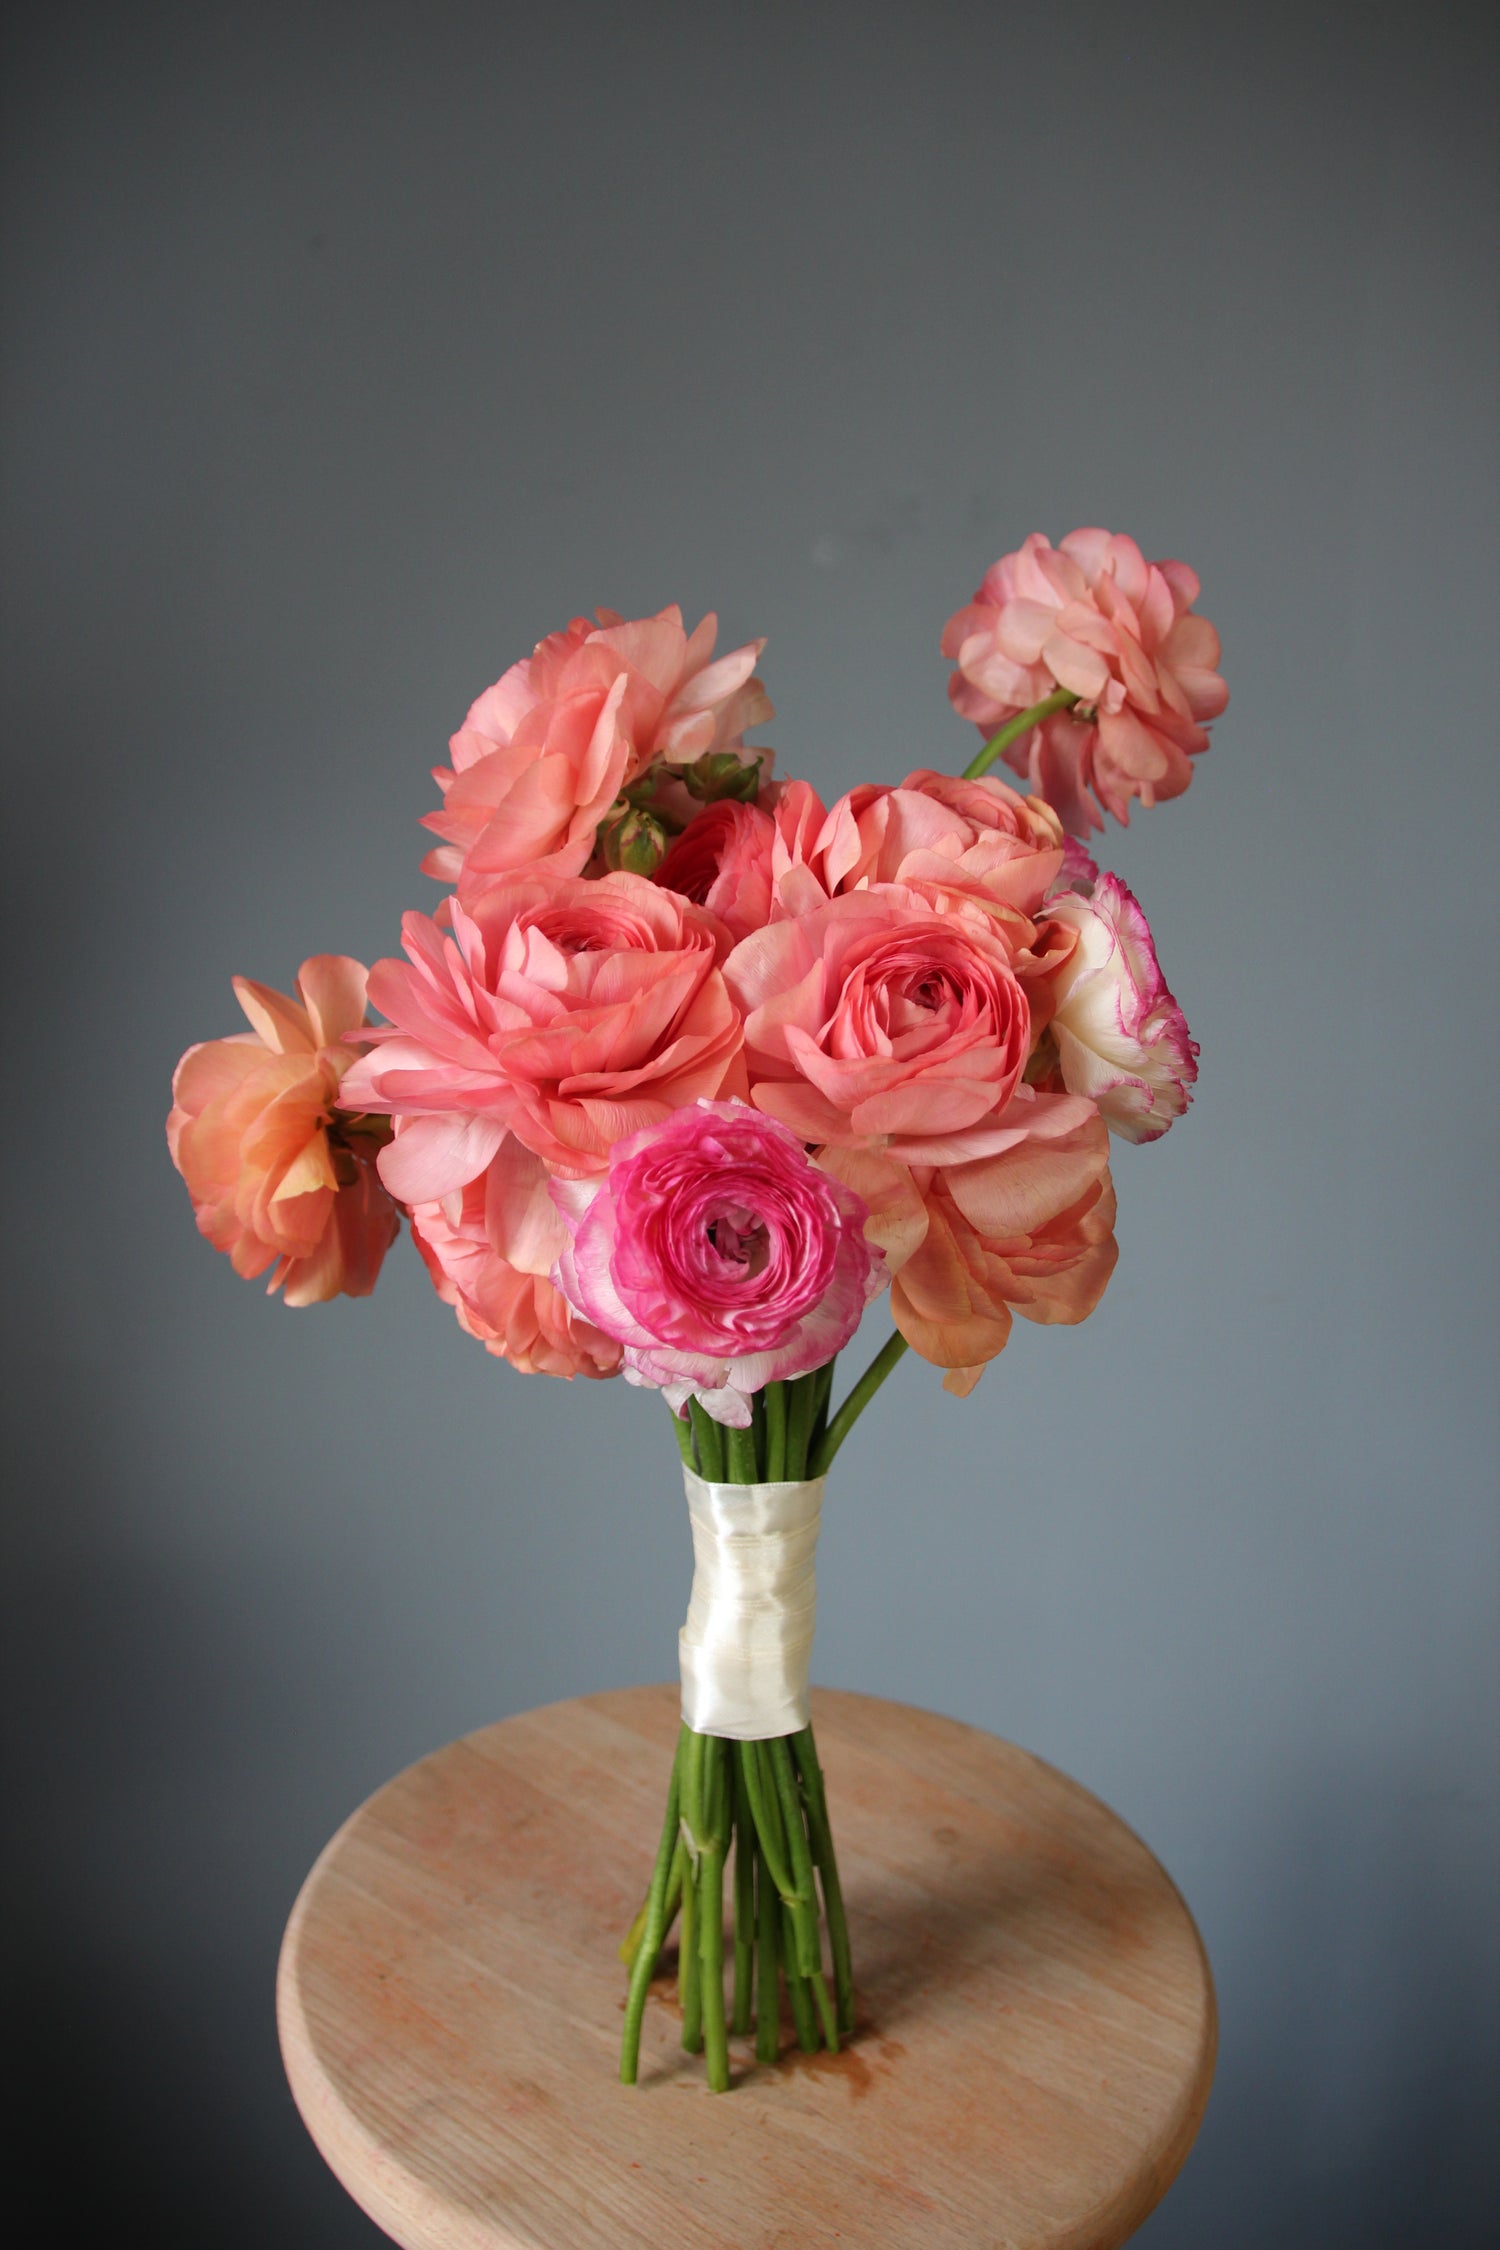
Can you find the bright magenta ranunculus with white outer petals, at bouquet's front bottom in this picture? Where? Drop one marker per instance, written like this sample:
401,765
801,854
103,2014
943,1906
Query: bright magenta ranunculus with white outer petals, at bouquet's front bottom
719,1257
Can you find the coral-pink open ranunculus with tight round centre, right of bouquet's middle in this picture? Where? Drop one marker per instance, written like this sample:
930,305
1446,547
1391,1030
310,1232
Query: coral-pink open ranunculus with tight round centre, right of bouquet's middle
880,1020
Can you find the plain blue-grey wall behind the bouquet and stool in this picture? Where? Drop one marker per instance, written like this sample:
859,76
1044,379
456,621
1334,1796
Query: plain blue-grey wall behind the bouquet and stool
347,352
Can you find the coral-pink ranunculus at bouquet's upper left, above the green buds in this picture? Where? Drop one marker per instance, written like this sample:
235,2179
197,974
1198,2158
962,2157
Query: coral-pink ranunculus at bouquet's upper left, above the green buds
545,753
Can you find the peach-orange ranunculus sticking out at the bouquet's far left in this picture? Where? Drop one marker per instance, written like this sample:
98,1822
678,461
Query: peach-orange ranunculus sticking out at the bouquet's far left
280,1173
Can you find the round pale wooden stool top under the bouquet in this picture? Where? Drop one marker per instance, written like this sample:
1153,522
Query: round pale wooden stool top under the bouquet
1036,2010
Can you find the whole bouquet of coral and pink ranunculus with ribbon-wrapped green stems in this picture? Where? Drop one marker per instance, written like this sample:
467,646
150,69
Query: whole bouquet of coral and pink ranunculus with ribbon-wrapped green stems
689,1068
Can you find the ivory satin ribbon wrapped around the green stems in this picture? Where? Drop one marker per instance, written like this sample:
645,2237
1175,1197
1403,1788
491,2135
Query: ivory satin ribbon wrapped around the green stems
748,1641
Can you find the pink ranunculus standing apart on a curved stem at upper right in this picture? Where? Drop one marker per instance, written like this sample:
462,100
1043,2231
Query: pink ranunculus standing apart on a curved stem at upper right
1121,633
